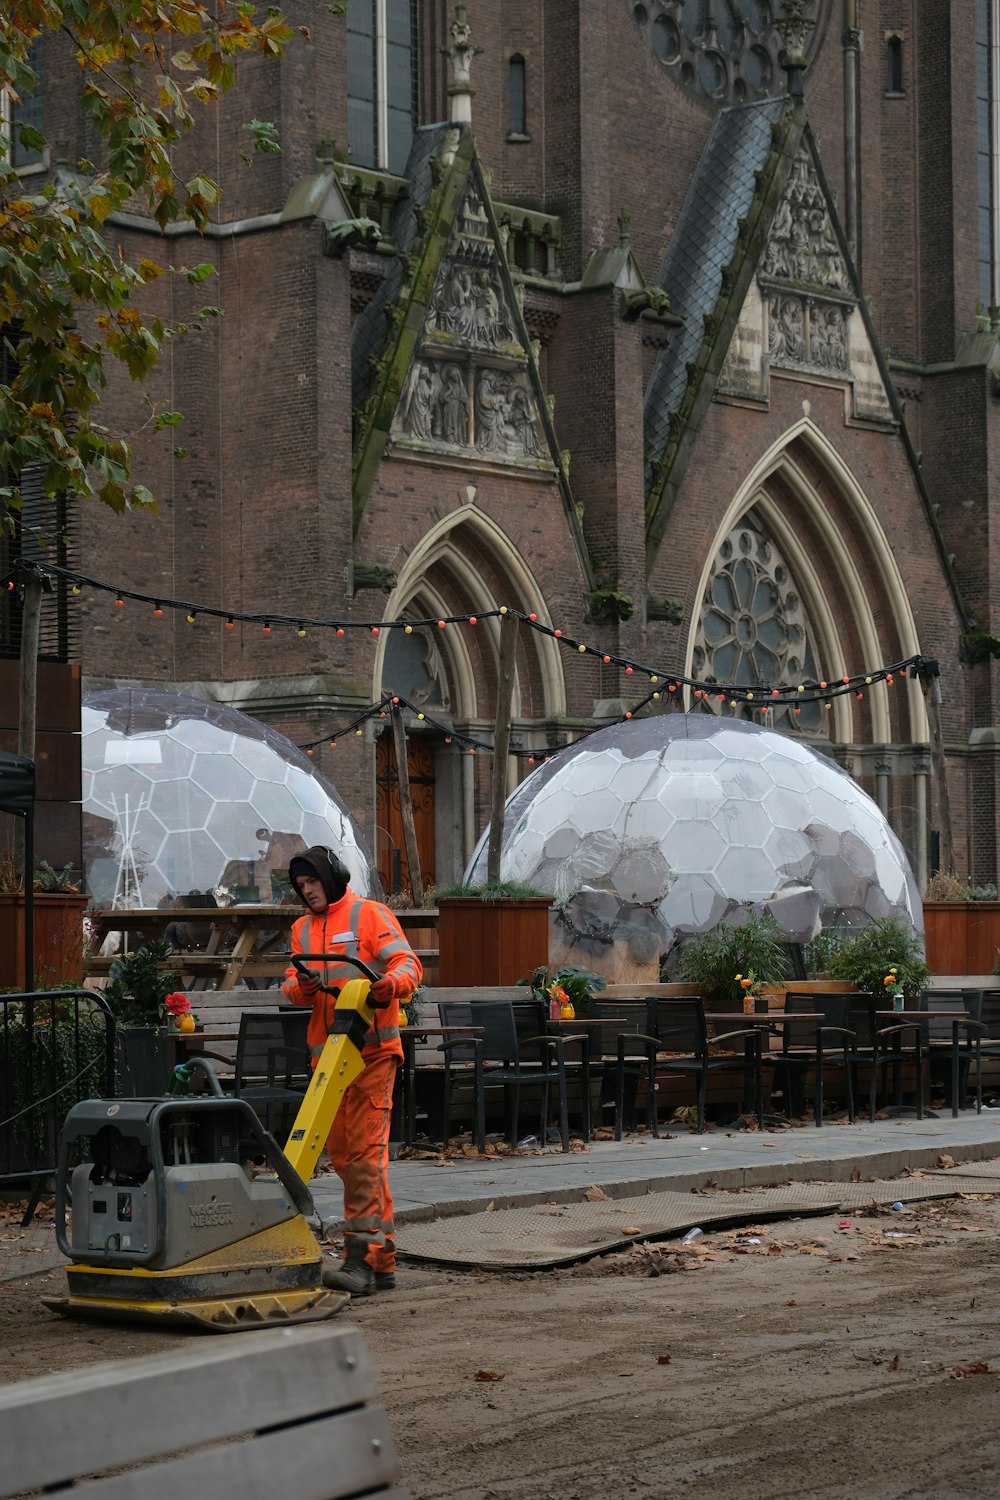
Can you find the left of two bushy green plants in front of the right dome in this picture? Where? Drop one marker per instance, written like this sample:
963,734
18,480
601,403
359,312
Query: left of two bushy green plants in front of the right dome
729,955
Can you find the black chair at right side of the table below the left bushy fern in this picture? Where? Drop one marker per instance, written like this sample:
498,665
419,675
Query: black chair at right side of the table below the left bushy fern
809,1045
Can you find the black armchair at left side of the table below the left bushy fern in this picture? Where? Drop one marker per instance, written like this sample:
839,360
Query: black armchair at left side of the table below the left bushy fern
678,1030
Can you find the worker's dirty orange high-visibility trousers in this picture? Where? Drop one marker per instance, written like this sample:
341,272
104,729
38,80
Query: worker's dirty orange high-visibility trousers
359,1151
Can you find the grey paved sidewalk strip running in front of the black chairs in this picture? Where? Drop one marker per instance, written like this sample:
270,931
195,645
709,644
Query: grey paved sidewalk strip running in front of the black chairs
431,1189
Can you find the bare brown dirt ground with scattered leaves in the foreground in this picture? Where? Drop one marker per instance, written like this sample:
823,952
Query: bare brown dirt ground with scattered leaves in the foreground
812,1358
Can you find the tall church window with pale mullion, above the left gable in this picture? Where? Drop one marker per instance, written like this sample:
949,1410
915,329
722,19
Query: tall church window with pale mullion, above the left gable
382,83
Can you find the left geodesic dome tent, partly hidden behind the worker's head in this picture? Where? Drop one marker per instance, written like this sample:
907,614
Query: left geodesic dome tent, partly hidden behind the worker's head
184,797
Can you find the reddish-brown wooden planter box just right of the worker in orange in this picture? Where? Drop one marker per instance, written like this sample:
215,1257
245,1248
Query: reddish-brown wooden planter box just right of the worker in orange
491,943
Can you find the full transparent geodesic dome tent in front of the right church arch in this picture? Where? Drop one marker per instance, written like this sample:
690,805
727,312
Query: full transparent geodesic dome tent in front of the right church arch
659,829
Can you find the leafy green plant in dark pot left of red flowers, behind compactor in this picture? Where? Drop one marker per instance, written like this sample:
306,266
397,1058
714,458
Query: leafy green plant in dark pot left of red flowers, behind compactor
139,992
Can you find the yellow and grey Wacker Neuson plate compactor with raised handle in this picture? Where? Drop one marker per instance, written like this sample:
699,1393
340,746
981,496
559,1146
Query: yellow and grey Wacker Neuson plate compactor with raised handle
185,1210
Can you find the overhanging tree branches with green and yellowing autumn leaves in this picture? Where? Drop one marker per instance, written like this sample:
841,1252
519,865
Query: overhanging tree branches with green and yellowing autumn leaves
70,298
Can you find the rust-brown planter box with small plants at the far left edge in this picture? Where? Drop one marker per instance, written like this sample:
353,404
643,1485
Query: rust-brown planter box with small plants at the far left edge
58,910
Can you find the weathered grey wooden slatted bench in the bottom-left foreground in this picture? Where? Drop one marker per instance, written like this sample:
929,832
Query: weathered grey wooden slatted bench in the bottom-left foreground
281,1412
